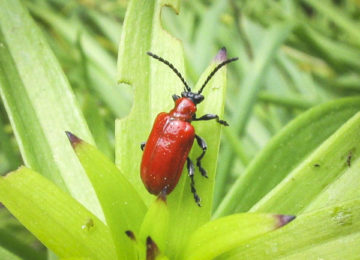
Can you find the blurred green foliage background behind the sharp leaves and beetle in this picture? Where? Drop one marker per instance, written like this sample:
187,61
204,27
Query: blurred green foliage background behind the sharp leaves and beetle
293,54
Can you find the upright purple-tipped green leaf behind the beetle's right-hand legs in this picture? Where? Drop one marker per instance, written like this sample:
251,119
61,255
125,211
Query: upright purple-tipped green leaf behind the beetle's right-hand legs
186,216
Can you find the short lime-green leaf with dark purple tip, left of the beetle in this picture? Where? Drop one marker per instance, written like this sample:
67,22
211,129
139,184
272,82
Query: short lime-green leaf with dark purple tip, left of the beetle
122,206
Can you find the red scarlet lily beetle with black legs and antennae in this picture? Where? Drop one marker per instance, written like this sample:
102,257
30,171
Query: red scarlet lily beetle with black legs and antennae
172,137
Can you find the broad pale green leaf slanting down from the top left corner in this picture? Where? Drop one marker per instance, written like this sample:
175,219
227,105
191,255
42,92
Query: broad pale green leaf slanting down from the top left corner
40,104
